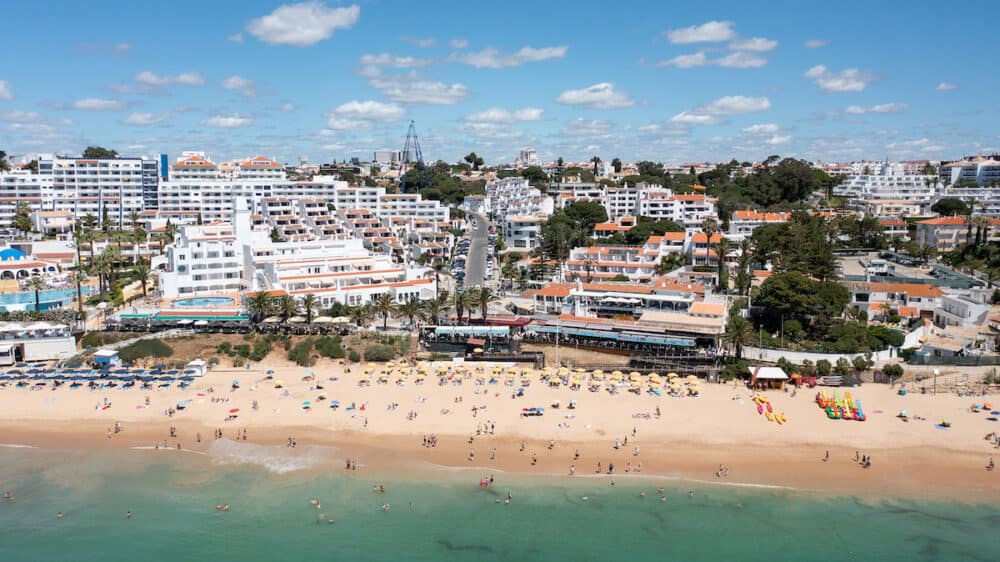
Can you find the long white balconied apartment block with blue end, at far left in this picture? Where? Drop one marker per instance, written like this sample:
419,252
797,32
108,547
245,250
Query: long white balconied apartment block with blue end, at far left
103,188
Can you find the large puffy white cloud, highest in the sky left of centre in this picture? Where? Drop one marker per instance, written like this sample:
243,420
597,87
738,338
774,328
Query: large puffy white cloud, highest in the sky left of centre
302,24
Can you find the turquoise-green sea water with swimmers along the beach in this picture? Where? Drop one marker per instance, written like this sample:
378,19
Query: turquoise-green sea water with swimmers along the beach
439,517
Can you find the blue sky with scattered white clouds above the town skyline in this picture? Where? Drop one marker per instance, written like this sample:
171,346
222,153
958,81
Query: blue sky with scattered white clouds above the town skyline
638,80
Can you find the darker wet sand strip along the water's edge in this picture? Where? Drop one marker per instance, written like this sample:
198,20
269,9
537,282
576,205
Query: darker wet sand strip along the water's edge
904,474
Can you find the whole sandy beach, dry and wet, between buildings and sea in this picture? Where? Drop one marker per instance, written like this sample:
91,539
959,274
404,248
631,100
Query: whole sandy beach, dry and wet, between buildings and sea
689,440
